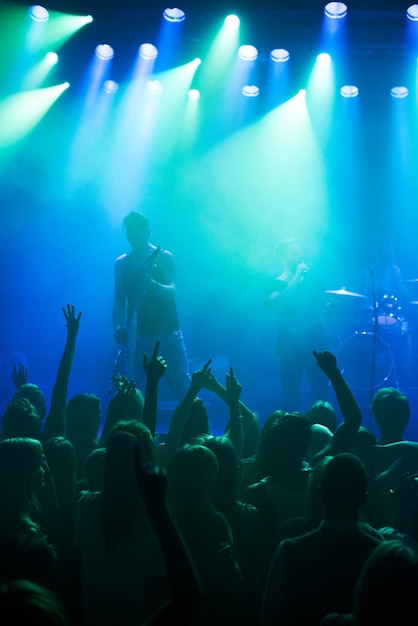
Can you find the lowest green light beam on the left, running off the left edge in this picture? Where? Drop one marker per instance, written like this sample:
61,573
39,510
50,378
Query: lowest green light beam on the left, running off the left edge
21,112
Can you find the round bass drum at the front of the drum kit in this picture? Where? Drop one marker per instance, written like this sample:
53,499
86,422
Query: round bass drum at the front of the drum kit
355,358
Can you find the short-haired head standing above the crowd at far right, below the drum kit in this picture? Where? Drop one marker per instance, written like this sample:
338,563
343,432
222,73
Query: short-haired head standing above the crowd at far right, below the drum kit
391,411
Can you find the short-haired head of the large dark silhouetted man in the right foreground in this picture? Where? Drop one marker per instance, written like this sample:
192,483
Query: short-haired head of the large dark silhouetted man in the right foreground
343,487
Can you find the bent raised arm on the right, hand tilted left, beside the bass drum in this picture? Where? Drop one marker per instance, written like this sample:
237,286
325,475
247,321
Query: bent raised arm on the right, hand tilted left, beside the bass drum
343,438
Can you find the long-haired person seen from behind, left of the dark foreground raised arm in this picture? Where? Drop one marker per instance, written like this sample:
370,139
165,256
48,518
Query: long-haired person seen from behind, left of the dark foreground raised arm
123,572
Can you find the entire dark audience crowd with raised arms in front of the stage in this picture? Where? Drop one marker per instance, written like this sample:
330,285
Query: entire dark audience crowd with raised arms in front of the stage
296,520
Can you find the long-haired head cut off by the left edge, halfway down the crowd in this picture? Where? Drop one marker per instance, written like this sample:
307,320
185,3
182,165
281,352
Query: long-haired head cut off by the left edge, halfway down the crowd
22,475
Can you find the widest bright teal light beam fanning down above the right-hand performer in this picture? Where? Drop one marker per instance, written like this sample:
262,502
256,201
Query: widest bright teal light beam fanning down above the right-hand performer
271,176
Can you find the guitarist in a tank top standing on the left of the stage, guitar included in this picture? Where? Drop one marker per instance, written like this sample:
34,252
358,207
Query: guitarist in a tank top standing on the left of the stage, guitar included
144,308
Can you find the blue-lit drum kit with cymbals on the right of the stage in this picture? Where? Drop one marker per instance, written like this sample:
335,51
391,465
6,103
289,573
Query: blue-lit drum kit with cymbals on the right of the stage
374,345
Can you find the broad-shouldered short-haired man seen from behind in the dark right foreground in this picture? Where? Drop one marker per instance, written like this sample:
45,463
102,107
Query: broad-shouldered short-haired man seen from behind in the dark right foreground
315,574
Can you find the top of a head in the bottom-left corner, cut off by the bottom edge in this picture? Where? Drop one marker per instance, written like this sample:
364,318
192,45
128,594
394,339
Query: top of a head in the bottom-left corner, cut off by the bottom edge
25,602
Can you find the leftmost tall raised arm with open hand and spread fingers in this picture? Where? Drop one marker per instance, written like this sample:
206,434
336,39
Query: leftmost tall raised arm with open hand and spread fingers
55,421
